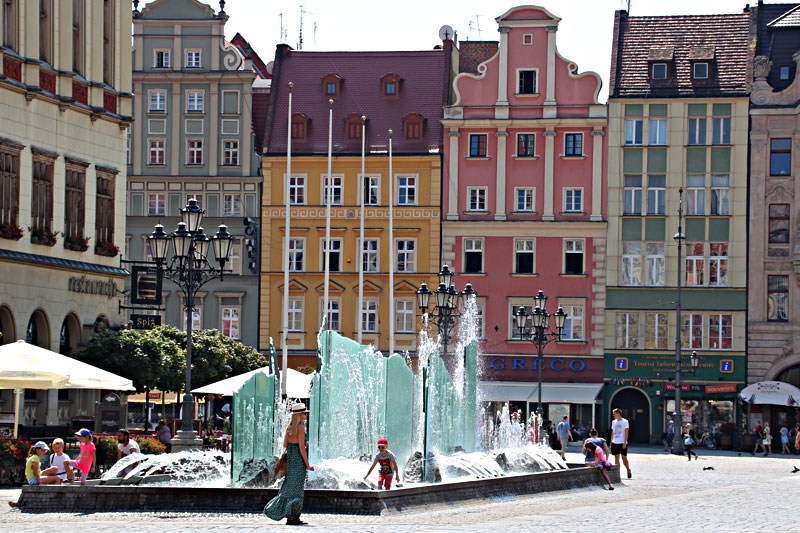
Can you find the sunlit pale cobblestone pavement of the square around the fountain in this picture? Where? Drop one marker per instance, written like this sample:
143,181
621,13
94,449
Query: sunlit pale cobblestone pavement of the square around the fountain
722,491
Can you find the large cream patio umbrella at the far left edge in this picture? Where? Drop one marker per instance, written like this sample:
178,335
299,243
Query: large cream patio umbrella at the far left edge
26,366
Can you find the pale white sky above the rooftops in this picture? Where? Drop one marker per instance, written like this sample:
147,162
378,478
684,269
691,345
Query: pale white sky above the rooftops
584,33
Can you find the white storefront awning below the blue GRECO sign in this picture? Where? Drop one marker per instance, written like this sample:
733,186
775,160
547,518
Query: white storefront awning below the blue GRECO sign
551,392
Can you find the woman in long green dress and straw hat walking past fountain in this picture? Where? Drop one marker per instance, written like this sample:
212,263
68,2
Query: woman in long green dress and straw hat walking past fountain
289,501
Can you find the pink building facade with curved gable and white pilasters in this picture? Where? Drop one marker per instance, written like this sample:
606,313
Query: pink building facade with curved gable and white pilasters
524,209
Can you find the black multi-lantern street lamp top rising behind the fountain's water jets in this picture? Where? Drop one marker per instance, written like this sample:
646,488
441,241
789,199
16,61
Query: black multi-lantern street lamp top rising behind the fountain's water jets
447,309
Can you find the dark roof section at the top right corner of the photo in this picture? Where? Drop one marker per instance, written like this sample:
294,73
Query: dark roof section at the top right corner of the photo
778,37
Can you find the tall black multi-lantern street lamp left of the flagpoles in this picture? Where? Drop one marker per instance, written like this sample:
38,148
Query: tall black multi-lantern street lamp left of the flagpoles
190,269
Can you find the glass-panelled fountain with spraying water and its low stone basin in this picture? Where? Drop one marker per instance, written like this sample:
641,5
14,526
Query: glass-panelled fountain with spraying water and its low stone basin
447,447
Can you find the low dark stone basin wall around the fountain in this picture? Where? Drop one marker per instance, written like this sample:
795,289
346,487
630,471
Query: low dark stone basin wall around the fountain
132,498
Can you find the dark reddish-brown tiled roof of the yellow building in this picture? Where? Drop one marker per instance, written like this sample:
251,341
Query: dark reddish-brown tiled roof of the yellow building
423,77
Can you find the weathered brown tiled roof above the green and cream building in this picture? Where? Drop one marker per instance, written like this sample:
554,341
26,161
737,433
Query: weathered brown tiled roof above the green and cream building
722,40
